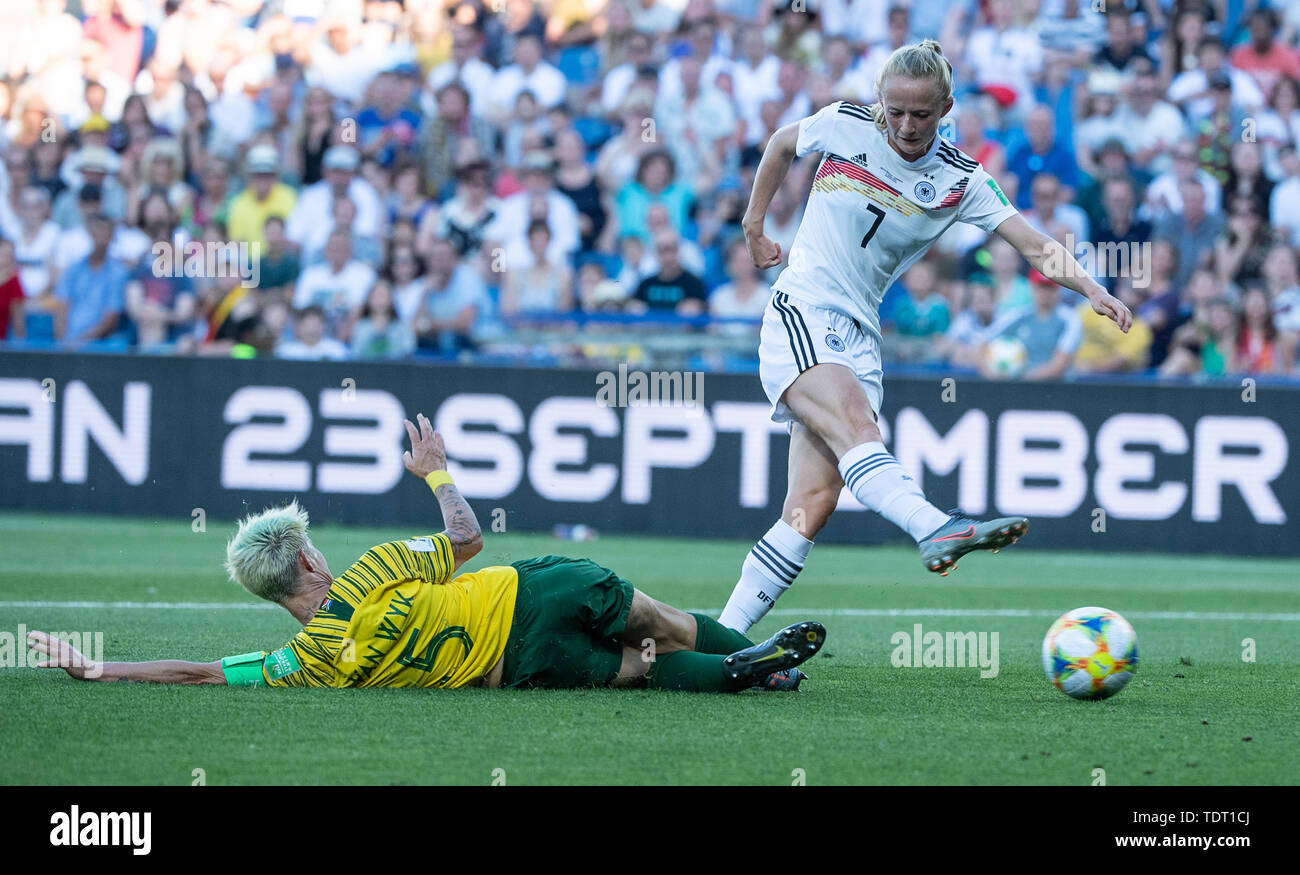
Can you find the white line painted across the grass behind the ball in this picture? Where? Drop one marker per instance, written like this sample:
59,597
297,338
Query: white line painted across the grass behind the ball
811,613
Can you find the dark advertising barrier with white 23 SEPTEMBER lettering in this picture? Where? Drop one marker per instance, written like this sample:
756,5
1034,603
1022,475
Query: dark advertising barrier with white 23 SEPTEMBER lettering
1095,466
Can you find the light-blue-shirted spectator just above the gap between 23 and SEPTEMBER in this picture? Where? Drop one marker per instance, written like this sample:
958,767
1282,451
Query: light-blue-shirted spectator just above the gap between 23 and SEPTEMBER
454,300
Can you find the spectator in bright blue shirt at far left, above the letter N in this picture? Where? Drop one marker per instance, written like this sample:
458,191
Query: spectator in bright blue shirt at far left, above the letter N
92,292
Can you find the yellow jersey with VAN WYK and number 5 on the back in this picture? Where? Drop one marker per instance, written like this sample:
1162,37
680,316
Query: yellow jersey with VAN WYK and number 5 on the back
395,620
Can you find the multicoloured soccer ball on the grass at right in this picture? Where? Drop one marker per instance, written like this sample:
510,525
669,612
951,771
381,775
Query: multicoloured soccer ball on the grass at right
1090,653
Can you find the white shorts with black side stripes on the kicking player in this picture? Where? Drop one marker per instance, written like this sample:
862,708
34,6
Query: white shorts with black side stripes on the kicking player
798,336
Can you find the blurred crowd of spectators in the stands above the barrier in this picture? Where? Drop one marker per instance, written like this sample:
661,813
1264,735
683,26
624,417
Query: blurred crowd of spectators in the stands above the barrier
385,179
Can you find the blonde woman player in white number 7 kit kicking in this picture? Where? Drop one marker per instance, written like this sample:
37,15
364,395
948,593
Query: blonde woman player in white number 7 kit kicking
886,189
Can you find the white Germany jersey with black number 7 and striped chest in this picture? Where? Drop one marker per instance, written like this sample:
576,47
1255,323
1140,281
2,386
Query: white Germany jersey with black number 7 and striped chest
872,214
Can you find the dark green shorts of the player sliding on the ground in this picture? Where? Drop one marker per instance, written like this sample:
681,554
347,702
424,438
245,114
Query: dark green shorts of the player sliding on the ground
569,618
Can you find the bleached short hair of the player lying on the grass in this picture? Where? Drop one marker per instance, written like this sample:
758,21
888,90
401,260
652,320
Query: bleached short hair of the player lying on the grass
263,556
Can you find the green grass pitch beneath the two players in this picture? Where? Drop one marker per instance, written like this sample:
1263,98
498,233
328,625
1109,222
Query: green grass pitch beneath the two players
1197,712
